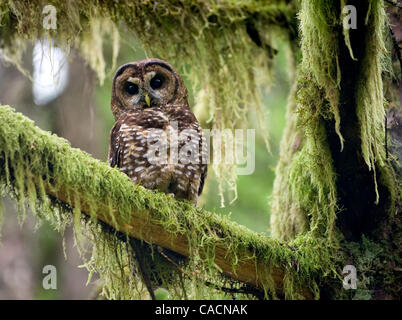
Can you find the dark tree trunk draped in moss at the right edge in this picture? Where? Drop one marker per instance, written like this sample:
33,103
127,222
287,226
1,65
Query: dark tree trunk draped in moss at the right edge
335,178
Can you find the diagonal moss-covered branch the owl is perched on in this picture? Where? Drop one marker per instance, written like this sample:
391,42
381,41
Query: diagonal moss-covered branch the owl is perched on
35,164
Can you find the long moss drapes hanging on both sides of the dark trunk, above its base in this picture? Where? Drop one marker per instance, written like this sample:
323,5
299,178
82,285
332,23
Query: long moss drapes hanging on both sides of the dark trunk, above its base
305,194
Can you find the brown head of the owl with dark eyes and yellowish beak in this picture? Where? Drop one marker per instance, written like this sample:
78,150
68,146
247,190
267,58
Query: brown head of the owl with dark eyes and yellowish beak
148,83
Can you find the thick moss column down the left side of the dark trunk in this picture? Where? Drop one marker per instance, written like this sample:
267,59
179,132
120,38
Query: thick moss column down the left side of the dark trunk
305,186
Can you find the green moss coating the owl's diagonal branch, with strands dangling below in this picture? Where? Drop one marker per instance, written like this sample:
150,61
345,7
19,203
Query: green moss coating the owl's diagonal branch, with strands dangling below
31,158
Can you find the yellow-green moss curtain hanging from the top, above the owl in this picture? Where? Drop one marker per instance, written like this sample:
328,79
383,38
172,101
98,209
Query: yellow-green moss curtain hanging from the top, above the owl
222,46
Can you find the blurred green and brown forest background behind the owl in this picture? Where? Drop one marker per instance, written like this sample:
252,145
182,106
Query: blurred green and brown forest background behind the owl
63,96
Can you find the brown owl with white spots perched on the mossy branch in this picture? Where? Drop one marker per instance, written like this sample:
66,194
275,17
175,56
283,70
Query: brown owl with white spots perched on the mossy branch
156,140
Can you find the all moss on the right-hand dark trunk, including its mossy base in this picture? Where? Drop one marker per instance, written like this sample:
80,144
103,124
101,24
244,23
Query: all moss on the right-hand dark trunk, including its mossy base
305,191
